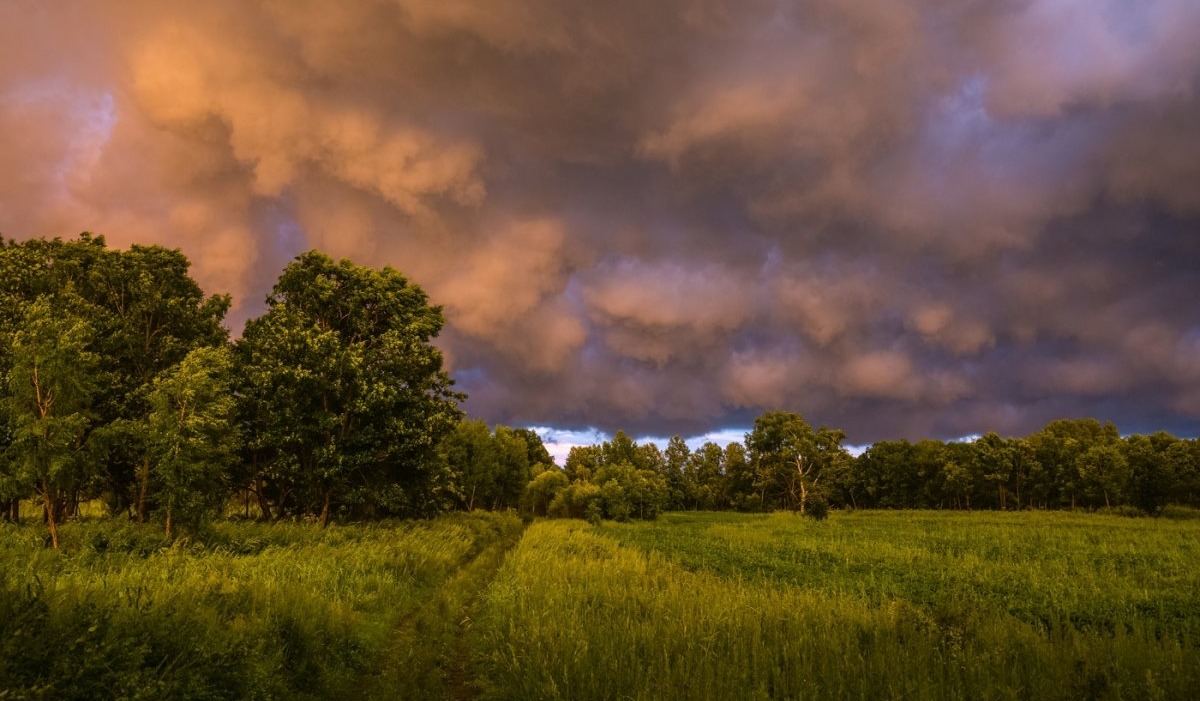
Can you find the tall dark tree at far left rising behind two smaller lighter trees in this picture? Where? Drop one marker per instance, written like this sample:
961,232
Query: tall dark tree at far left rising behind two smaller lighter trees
146,314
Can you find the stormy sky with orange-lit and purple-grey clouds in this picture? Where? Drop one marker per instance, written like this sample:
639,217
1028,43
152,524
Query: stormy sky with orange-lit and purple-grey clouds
902,219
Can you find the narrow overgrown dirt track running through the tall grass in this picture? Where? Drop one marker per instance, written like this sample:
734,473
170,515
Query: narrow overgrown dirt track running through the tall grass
429,656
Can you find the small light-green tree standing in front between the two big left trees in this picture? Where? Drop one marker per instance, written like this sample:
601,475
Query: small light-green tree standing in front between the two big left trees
193,435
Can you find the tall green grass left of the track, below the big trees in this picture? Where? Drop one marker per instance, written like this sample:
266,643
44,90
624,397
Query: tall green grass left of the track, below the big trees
280,612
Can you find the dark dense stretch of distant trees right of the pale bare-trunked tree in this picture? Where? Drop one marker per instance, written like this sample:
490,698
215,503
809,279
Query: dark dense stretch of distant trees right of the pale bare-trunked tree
1070,464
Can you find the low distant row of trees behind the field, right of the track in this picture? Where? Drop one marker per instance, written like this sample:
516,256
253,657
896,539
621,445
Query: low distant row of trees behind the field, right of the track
785,464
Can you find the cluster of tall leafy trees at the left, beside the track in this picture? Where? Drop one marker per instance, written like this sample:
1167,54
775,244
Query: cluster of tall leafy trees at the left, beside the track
122,385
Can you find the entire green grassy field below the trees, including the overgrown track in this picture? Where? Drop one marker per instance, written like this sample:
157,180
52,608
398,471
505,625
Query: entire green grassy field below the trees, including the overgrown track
866,606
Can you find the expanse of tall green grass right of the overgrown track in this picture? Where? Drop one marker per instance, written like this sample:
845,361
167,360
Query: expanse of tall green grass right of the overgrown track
863,607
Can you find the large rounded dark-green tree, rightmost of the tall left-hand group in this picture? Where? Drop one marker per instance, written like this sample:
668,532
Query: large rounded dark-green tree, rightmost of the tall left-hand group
346,400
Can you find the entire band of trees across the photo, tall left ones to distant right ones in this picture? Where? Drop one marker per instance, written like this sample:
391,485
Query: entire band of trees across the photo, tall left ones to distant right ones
119,384
